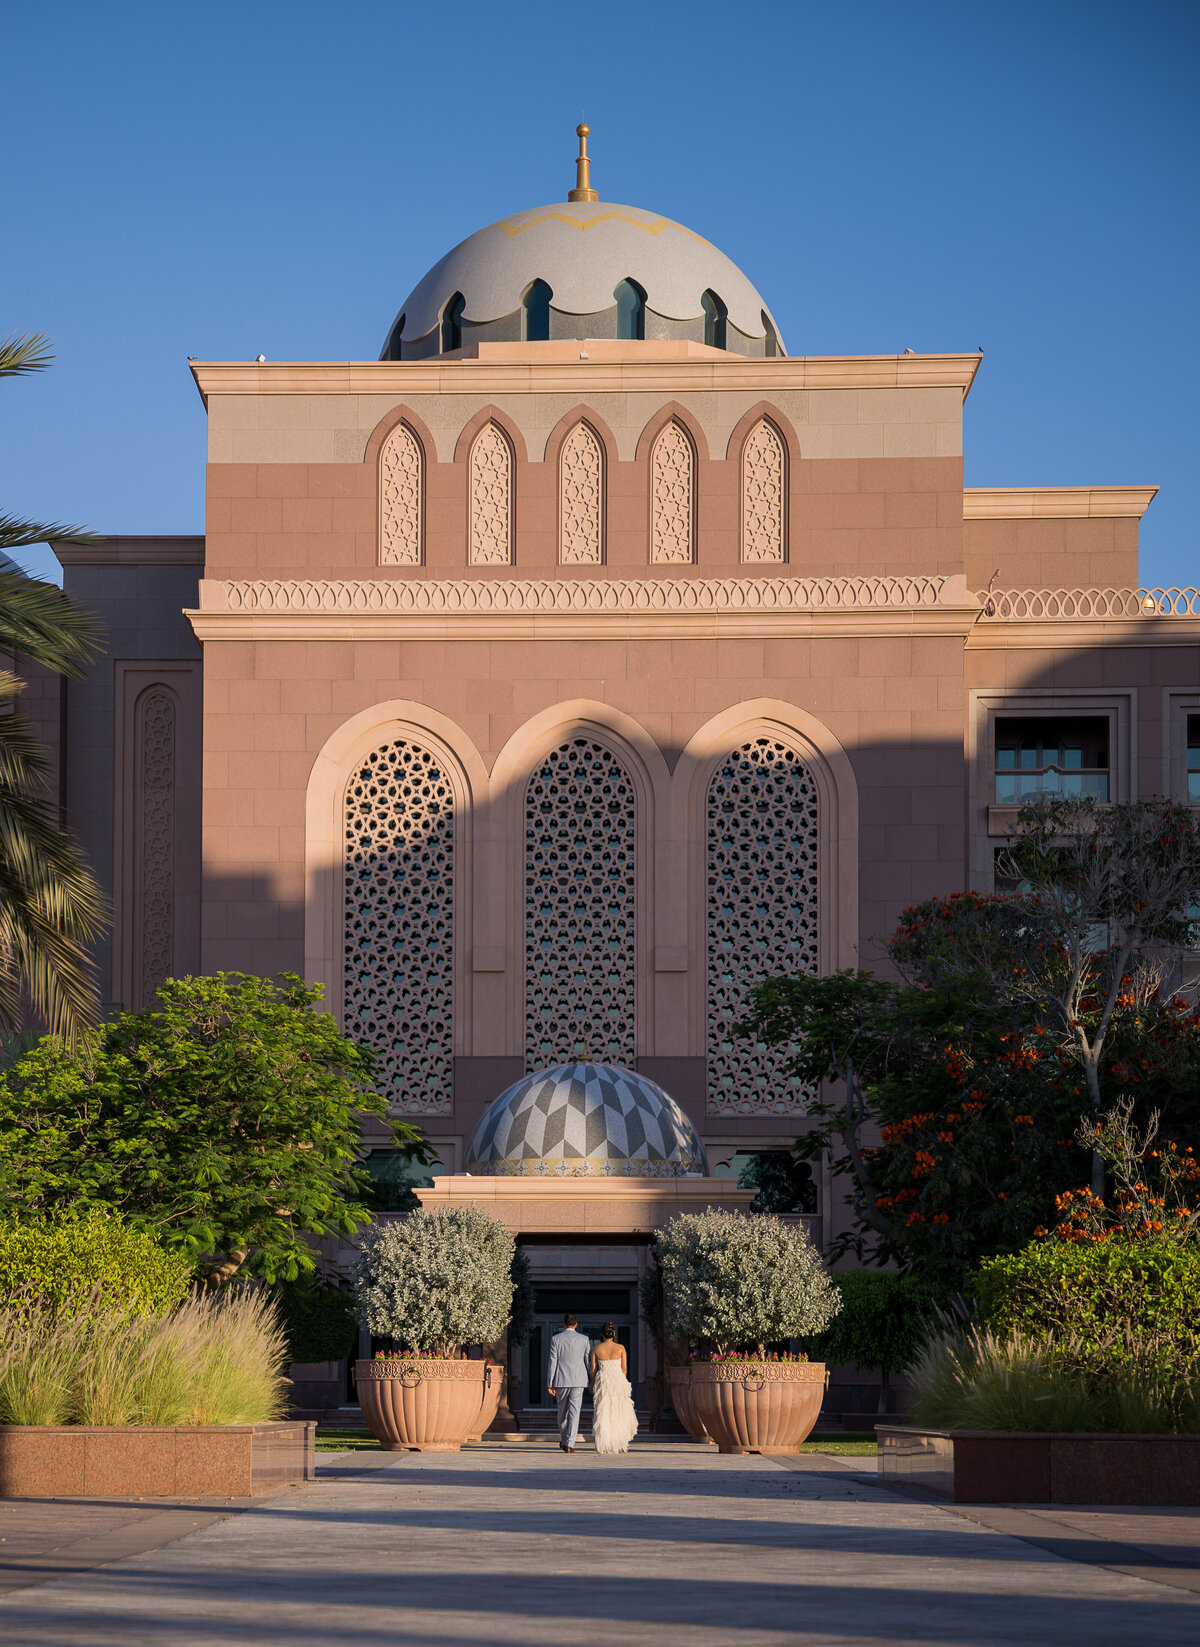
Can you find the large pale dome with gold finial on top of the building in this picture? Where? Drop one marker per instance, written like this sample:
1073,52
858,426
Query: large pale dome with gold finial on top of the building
584,271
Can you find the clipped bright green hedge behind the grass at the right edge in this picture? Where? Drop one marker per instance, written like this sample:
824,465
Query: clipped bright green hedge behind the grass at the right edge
1114,1292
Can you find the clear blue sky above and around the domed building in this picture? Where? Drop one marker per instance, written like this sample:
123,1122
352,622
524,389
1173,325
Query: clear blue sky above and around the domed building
230,180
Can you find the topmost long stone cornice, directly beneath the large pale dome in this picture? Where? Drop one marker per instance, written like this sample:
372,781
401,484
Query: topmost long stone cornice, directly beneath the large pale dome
491,378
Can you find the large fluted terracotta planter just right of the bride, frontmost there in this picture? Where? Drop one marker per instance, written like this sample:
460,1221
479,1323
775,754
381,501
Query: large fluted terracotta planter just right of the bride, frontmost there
758,1406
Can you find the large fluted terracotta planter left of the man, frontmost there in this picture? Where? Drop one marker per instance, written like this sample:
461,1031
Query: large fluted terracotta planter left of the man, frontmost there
417,1406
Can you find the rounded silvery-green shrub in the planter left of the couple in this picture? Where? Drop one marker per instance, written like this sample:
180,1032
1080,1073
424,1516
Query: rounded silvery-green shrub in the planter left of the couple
437,1281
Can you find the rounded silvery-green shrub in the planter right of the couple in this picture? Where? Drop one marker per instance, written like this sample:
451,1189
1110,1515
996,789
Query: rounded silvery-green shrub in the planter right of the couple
733,1281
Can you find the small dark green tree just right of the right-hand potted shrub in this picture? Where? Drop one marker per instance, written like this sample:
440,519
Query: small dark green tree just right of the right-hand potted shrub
883,1327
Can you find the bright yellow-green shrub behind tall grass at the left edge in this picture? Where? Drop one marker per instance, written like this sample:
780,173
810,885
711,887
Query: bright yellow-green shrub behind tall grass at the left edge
60,1261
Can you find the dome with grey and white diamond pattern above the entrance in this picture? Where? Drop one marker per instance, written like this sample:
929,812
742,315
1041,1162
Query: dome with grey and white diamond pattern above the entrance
585,1121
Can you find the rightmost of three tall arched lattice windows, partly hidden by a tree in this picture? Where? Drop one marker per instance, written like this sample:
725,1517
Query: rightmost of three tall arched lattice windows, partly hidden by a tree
763,900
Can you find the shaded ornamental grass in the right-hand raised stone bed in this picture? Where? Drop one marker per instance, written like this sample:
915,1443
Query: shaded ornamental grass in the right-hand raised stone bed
1058,1383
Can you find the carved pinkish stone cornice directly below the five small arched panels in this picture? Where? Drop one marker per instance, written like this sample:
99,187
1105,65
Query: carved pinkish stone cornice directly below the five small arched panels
595,609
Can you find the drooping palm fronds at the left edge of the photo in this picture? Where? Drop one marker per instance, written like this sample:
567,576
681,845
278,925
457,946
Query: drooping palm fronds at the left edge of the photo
50,905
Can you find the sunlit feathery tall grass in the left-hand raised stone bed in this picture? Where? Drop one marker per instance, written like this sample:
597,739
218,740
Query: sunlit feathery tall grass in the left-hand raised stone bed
218,1360
